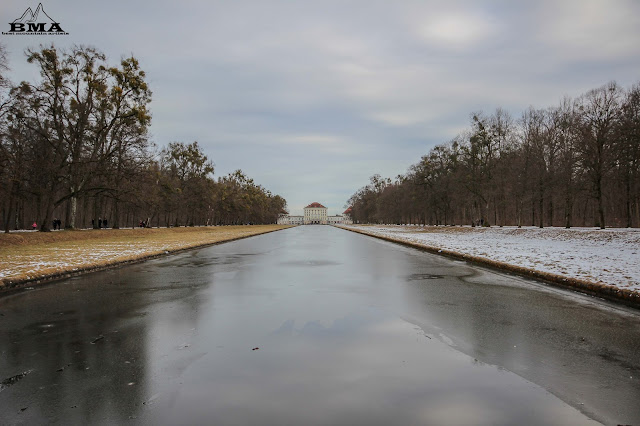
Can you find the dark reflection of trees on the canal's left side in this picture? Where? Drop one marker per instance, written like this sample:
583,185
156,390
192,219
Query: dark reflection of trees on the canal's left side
87,348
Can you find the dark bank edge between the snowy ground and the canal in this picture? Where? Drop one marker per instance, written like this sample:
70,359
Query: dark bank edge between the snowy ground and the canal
623,296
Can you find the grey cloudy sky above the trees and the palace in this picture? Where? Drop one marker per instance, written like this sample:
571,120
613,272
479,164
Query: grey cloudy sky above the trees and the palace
310,98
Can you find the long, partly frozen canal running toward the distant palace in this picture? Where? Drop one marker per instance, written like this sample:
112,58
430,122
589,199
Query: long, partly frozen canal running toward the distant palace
314,325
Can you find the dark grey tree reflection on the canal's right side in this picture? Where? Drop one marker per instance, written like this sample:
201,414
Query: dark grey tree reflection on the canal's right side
544,338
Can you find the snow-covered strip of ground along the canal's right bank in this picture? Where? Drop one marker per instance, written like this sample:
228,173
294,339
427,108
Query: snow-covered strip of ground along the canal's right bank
610,256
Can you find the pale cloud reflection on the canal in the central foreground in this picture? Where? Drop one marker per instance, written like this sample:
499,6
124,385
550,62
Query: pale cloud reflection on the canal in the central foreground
368,367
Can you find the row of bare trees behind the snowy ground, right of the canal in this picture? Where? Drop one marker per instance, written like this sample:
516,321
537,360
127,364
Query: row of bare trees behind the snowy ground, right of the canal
575,164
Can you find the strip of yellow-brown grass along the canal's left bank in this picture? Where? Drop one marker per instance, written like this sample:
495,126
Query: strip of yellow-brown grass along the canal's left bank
30,256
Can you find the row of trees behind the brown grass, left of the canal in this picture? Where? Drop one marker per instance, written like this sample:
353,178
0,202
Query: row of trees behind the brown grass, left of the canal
75,145
